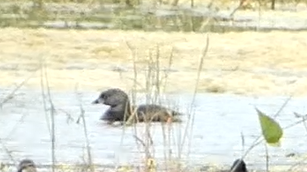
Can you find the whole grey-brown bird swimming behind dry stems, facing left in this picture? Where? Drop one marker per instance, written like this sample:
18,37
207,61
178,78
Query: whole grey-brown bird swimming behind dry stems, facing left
121,109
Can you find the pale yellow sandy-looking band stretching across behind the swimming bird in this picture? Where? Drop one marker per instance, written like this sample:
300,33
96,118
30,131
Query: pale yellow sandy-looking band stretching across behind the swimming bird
249,63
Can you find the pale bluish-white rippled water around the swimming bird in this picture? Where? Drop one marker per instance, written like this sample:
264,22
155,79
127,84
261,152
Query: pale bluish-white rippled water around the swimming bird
216,138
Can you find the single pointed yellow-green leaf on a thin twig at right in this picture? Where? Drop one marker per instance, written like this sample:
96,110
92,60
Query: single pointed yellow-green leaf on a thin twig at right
271,130
